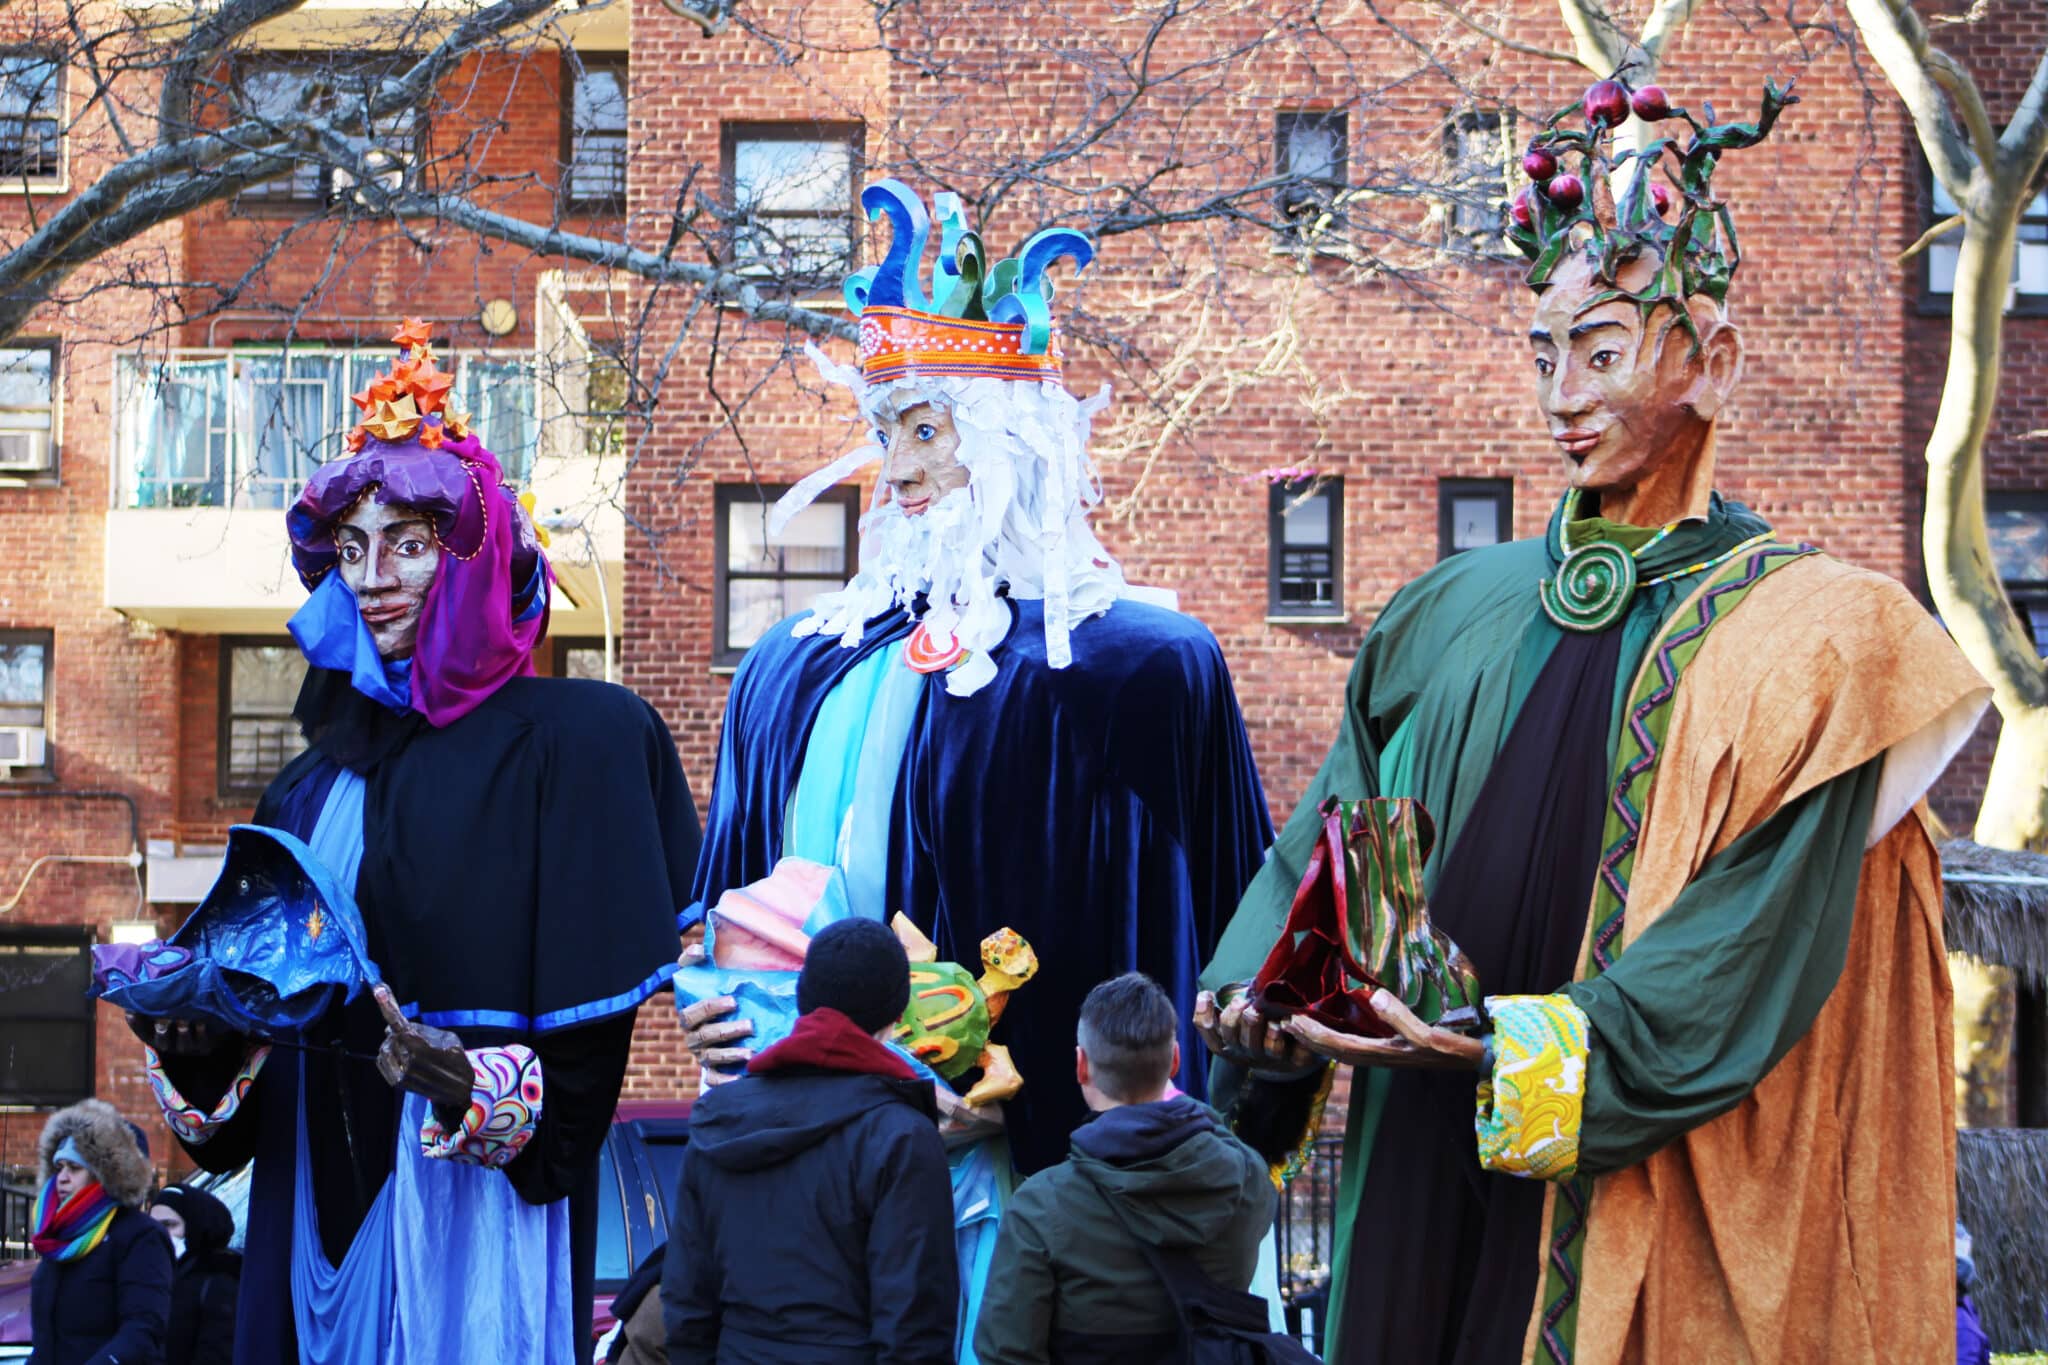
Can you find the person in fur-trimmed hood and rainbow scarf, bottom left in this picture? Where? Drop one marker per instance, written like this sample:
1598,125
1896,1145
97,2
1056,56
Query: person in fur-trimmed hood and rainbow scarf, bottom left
101,1292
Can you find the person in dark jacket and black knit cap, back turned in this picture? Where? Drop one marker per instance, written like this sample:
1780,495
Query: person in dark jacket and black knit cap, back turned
814,1217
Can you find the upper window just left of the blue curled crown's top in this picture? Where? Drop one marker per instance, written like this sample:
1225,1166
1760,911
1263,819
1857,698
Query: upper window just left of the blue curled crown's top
794,195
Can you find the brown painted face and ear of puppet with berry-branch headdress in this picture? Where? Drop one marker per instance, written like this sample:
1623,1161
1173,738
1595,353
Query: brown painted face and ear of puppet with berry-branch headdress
1627,402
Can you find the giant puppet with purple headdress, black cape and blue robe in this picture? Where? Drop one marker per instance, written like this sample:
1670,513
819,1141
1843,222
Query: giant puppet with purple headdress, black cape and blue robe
505,856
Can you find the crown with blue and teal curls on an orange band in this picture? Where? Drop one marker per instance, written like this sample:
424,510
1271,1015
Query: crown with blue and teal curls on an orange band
974,322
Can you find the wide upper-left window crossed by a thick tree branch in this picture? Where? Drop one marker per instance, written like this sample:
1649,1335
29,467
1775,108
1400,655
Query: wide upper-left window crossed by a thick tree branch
288,91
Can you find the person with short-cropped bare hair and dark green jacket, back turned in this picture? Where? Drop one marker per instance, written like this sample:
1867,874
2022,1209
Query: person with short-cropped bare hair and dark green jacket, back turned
1070,1282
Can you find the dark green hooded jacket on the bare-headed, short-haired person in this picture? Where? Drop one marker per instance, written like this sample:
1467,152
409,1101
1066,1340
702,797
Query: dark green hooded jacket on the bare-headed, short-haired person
1070,1286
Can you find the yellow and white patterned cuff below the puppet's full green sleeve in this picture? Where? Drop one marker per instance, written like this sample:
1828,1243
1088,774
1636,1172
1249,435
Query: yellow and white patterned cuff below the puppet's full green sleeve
1533,1098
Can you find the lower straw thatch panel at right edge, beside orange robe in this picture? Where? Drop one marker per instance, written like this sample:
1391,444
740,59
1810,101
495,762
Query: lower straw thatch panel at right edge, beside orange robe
2000,1182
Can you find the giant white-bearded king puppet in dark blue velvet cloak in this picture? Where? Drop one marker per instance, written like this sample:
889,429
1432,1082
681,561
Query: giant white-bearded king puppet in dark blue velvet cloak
988,728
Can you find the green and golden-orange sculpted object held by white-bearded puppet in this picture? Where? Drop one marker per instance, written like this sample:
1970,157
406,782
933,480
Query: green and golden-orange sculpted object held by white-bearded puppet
949,1016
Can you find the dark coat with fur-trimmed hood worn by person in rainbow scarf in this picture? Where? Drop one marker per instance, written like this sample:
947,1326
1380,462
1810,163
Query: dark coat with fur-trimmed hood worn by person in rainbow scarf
108,1307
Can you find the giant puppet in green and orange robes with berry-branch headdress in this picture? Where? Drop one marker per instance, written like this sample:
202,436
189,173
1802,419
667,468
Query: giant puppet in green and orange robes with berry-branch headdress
1660,1065
